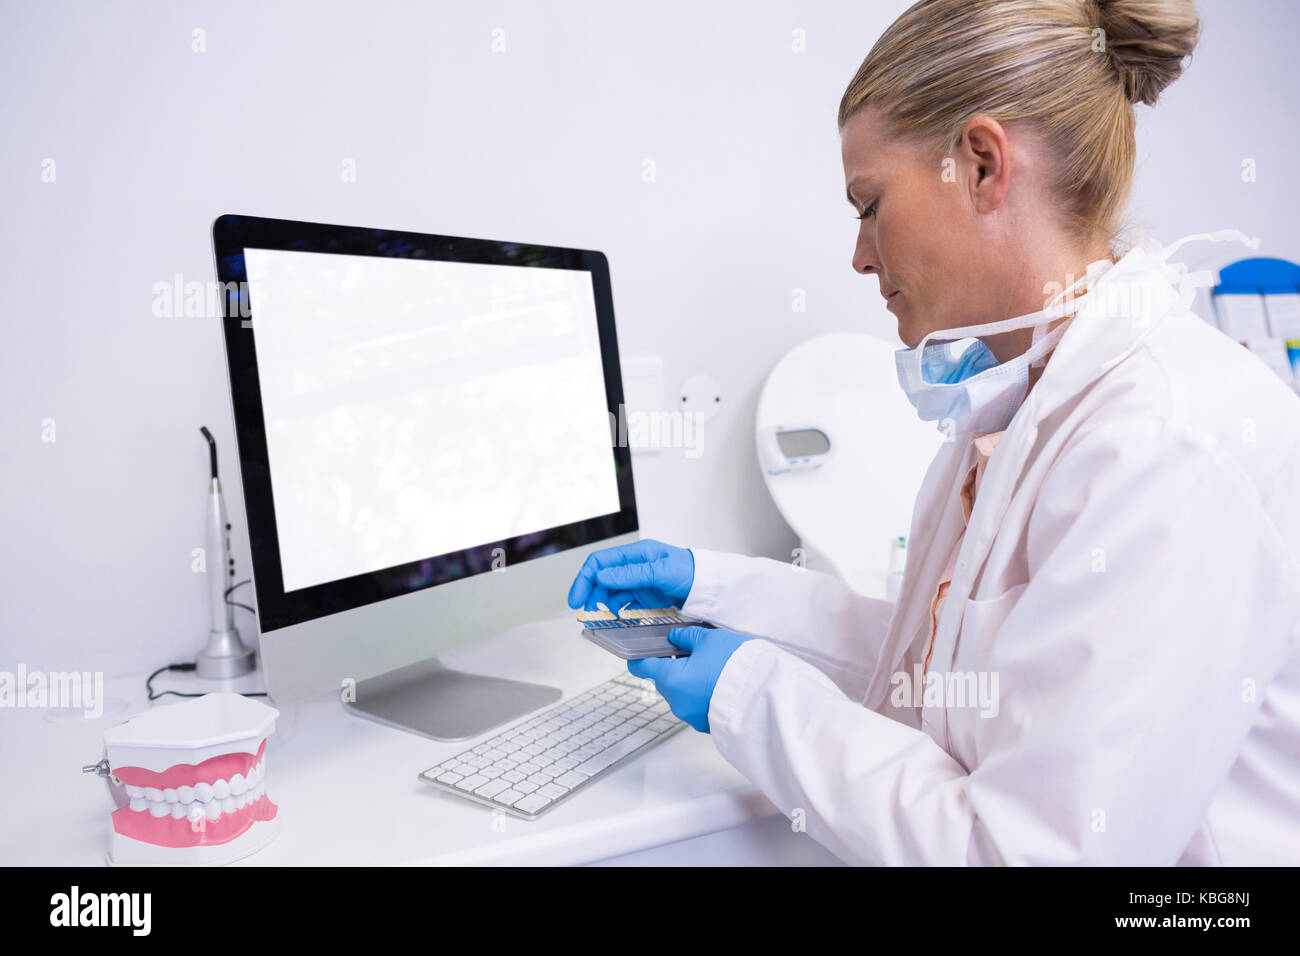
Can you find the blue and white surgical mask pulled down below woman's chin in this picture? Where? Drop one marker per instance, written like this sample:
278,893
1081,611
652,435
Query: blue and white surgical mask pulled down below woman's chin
967,390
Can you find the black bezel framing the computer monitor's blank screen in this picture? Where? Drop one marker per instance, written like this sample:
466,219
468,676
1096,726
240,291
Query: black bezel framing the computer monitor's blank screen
278,609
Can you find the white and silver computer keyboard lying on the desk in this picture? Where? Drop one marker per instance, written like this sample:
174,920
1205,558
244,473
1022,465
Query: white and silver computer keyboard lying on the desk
544,760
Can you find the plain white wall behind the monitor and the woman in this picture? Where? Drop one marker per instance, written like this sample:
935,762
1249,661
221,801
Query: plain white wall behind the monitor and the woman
544,142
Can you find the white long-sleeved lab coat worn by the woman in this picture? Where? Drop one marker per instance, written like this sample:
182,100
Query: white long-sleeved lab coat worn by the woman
1130,574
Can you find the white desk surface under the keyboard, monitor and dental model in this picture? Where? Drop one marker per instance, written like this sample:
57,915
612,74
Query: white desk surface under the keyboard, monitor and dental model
348,790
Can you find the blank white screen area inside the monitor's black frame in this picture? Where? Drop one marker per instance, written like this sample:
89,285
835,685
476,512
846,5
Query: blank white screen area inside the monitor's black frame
418,408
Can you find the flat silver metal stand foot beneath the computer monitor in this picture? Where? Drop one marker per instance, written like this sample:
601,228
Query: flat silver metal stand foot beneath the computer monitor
436,702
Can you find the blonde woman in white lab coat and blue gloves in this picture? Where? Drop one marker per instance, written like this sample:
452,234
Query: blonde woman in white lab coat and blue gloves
1097,654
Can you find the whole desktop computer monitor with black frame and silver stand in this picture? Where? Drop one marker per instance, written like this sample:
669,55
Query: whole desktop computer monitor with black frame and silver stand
428,449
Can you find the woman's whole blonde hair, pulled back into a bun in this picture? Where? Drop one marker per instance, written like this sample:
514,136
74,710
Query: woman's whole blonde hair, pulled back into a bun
1071,71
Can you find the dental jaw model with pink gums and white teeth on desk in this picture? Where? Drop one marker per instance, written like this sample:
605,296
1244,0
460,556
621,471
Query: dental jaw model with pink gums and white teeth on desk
190,782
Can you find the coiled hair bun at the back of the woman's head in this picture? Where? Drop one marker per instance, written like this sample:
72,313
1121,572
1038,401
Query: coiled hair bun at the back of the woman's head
1147,42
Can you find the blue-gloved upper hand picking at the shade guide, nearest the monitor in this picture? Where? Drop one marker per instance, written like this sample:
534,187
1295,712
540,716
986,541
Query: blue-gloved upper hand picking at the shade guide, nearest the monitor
645,574
